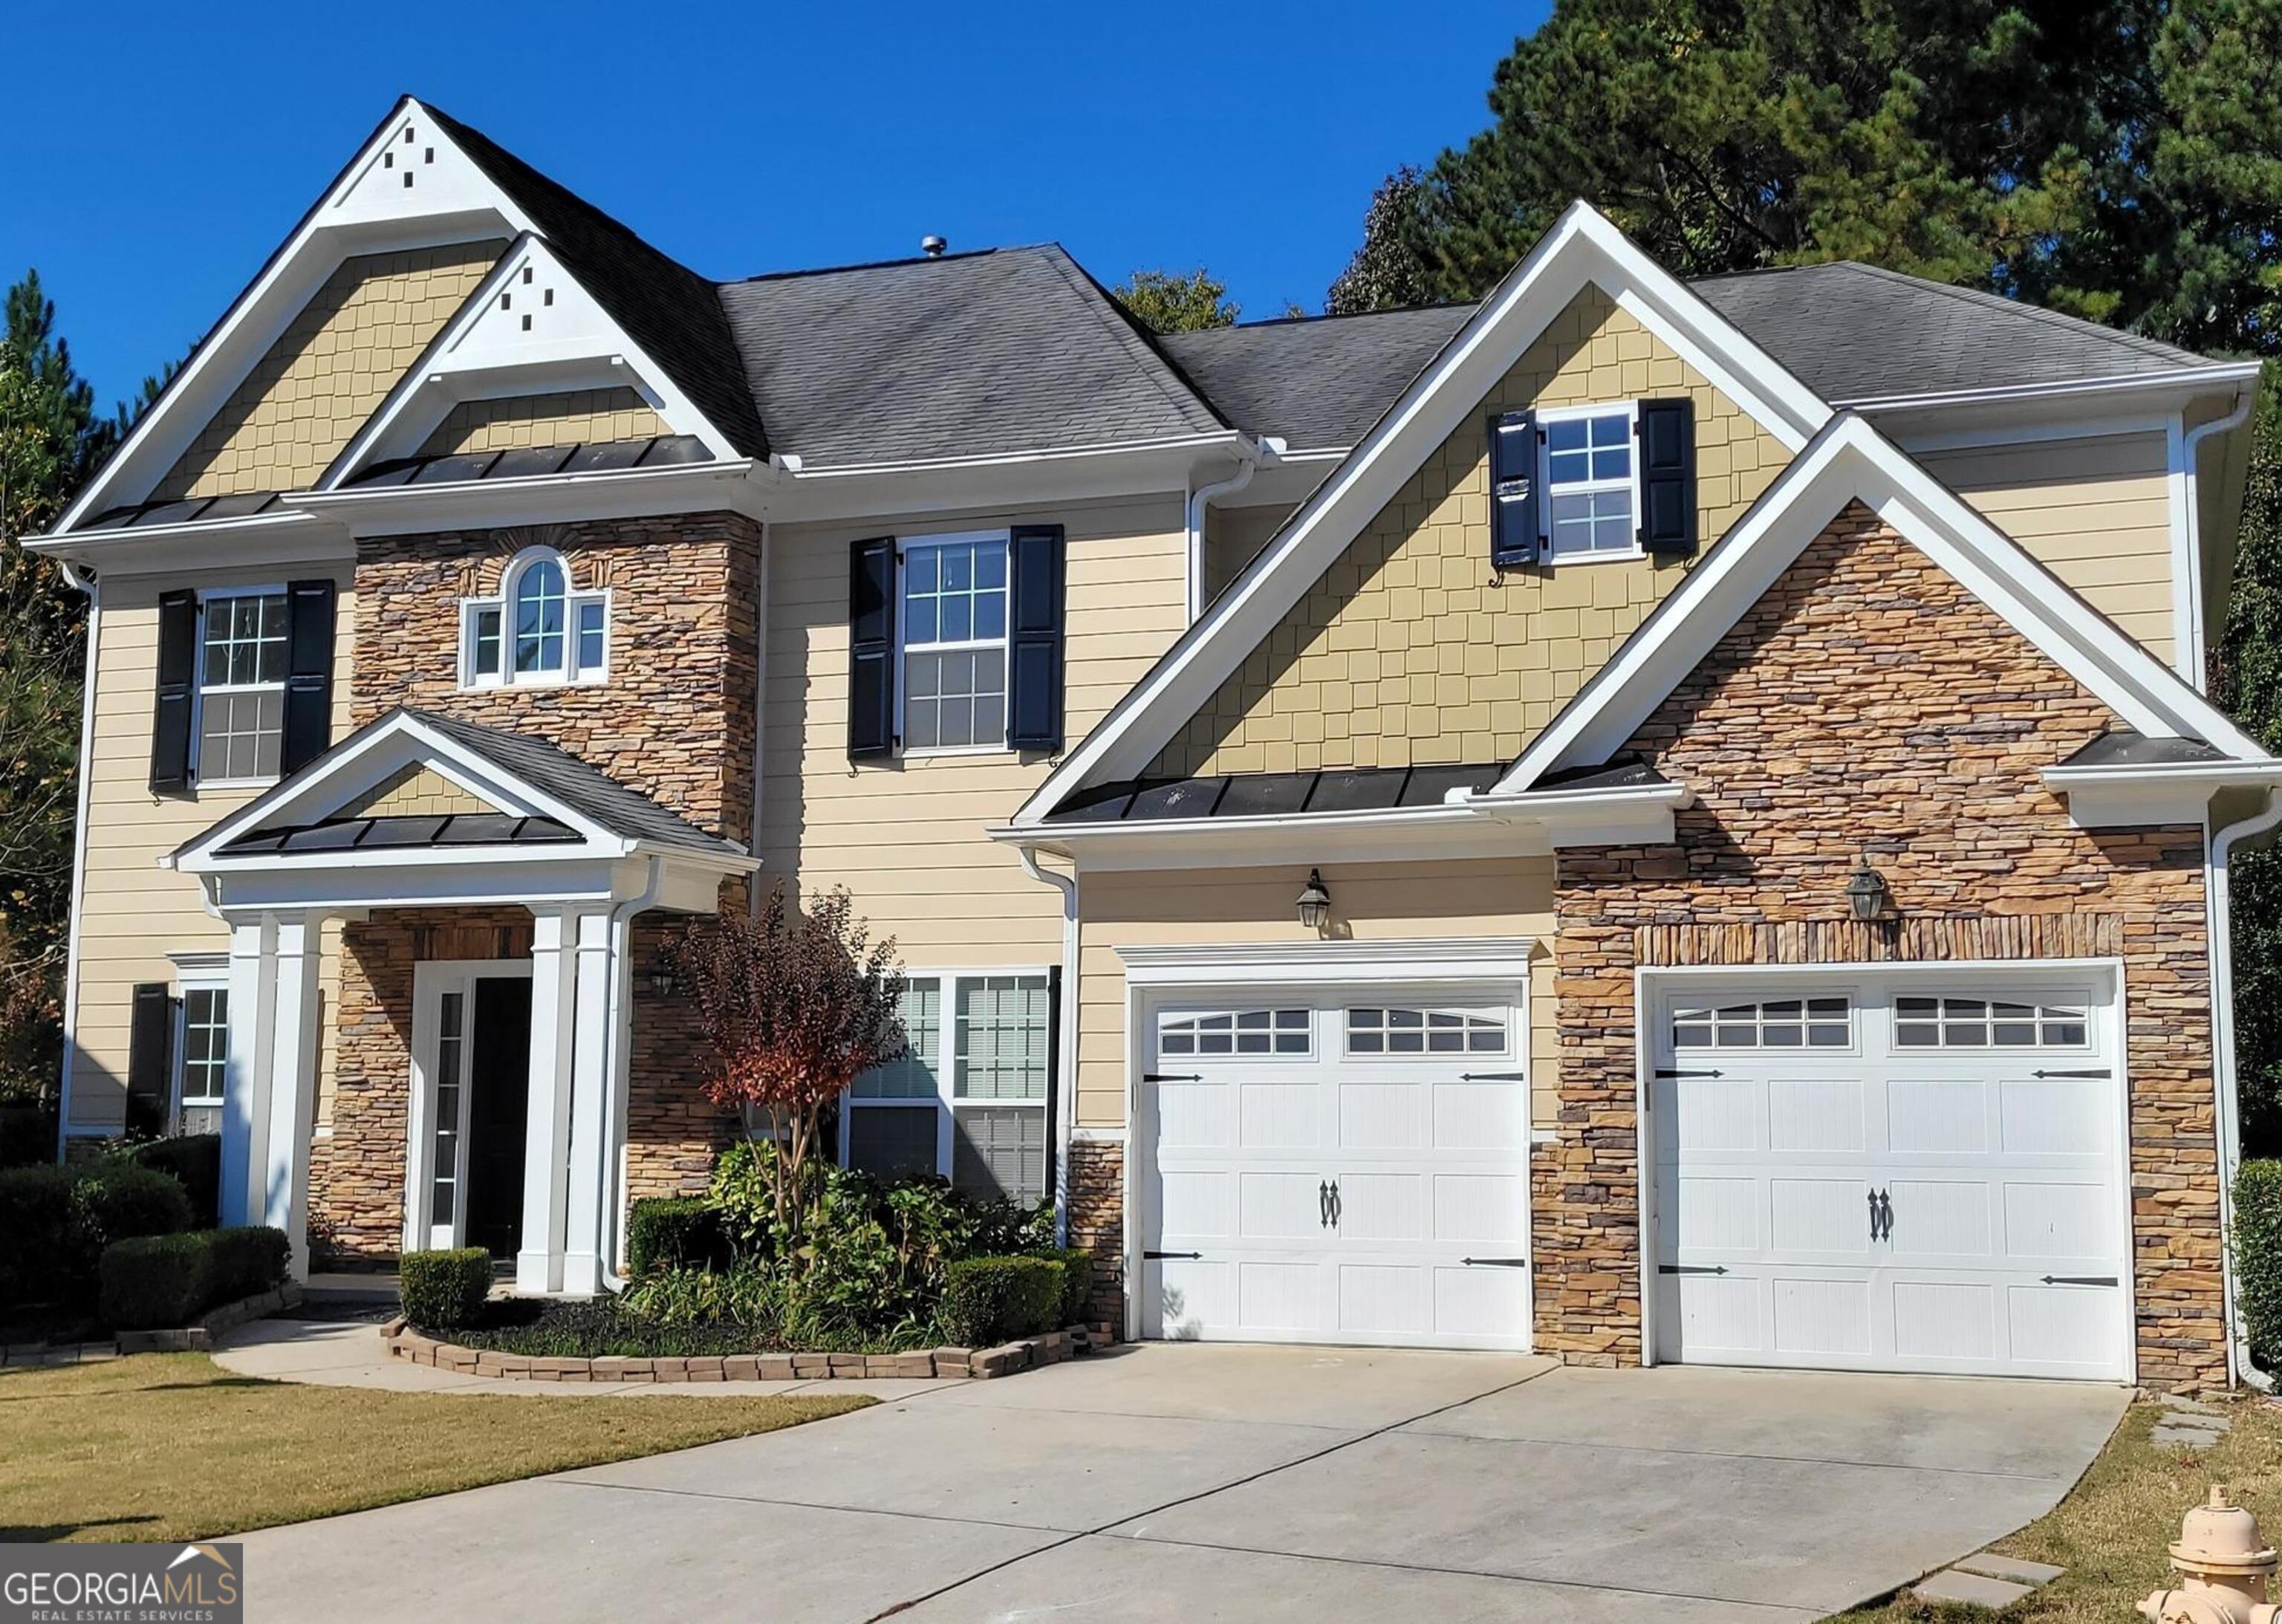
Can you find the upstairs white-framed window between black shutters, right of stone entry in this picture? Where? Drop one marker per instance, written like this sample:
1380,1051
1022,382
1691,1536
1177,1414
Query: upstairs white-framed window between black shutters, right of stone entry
953,619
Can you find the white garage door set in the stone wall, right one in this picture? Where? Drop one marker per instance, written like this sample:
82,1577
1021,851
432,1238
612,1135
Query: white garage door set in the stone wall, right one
1891,1174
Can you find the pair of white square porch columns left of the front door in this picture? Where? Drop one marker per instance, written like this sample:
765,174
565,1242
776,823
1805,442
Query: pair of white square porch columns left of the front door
273,1075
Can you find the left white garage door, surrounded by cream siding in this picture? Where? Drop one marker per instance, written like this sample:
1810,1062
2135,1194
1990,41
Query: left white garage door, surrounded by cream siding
1336,1169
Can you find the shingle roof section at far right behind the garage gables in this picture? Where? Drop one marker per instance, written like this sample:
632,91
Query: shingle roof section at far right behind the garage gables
1854,334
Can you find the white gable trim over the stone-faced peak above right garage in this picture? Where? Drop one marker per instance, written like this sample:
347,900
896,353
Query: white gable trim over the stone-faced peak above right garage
1854,462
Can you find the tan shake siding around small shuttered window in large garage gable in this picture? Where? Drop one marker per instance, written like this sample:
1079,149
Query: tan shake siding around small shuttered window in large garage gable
1409,651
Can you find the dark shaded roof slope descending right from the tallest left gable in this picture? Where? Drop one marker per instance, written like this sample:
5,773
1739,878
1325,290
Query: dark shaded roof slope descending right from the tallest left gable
665,307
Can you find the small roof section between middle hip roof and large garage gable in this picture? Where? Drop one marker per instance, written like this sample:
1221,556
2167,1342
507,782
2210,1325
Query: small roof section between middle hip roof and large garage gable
1316,382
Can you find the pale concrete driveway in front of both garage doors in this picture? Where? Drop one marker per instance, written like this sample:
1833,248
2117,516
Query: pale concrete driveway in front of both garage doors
1249,1484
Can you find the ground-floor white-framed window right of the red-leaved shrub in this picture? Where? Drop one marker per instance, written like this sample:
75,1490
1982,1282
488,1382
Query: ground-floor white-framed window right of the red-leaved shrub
969,1101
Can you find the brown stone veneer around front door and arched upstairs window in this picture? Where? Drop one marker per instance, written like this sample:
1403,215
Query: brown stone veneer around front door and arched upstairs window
674,722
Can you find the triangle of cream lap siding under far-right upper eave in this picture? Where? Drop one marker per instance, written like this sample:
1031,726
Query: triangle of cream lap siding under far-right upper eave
2094,510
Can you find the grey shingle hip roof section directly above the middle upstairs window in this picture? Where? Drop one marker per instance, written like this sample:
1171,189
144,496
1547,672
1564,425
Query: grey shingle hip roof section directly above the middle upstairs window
973,355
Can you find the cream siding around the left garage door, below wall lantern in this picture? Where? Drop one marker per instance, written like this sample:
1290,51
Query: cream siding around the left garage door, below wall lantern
1386,902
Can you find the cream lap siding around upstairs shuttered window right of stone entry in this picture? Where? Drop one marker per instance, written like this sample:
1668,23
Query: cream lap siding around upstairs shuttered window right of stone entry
907,838
